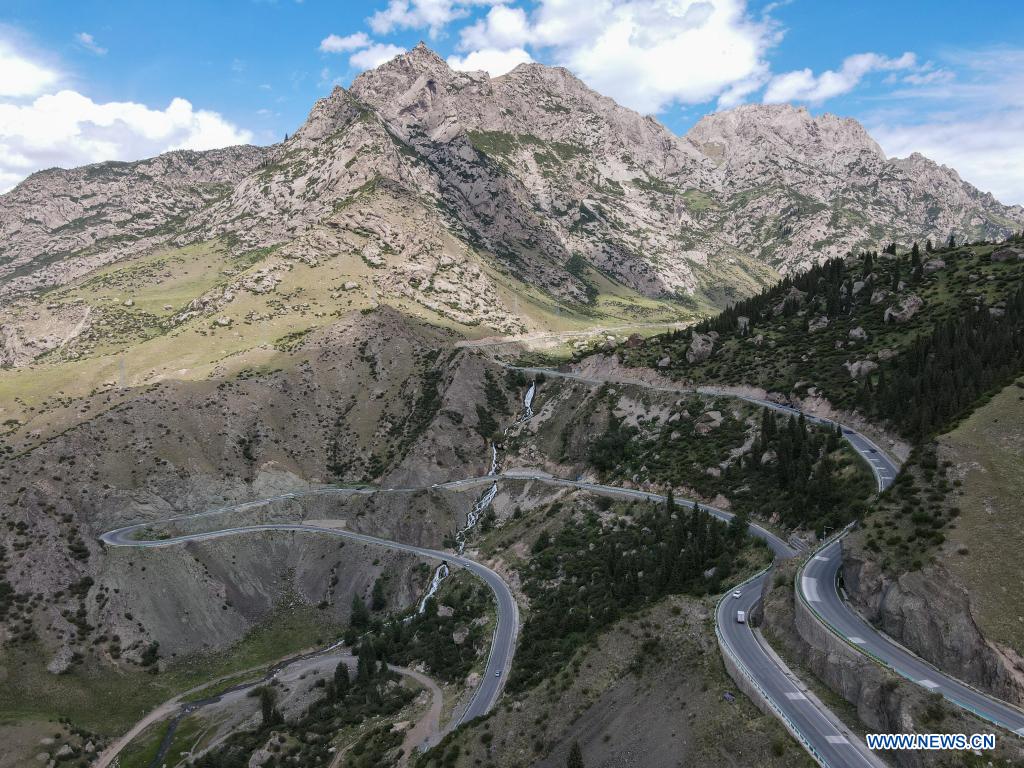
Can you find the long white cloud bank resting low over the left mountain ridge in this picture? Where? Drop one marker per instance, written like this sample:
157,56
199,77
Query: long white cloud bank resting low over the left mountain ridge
68,130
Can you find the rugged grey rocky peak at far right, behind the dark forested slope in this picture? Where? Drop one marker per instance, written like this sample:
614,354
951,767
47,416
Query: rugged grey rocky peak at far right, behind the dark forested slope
782,159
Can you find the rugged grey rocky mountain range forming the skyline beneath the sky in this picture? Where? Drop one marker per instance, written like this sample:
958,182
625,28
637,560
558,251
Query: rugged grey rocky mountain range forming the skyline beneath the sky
455,195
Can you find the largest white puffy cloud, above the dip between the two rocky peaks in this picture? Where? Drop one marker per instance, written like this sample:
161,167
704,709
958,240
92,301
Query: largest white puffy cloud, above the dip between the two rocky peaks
647,55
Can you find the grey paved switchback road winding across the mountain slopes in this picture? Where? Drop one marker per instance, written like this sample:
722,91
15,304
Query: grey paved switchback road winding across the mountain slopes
826,738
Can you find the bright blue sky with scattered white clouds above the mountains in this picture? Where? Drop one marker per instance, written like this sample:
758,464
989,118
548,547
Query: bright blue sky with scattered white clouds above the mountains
89,81
